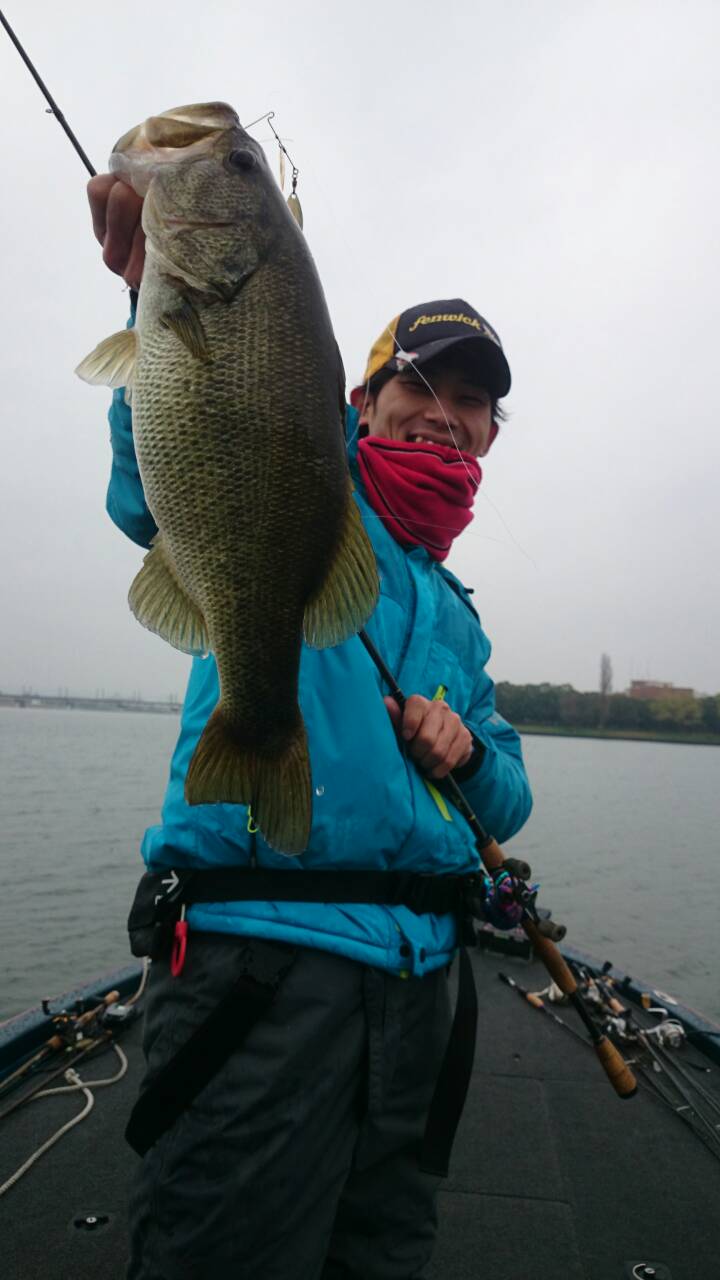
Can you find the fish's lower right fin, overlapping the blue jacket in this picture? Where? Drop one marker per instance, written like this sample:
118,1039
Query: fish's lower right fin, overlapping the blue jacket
350,591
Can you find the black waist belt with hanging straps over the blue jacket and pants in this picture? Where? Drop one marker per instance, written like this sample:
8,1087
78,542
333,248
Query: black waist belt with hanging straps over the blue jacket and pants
157,908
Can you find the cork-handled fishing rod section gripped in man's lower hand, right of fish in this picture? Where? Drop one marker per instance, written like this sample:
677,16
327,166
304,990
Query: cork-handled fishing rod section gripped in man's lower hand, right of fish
540,932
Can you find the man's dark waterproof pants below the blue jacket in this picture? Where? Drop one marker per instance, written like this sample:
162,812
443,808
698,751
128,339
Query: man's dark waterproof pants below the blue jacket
299,1160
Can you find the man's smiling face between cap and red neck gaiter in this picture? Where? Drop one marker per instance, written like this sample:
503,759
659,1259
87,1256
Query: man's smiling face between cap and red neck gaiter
408,410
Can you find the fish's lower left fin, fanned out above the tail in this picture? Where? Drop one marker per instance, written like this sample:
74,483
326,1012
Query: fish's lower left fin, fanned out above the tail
162,605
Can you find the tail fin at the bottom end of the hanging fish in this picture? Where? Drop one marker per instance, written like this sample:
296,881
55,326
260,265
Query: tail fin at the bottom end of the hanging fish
277,787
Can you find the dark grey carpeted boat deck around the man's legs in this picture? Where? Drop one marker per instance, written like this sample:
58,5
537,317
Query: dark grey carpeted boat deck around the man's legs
553,1177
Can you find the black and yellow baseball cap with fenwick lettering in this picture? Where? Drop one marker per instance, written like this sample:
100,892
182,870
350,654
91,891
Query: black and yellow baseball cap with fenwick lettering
423,332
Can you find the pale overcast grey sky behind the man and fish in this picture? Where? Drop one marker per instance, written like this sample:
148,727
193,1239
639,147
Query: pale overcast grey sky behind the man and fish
555,164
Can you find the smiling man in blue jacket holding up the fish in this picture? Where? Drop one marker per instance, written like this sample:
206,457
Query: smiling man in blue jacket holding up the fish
297,1151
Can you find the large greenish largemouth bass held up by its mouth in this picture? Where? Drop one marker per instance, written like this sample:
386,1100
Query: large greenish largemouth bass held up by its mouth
238,395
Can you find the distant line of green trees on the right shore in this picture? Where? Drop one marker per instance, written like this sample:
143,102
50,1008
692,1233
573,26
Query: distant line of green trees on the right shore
562,706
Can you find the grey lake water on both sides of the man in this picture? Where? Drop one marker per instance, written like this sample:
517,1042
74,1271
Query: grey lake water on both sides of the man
625,839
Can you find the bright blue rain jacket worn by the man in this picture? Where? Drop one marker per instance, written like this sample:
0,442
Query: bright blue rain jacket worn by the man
372,808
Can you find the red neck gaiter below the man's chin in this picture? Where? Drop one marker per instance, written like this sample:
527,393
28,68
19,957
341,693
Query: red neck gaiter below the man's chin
423,493
